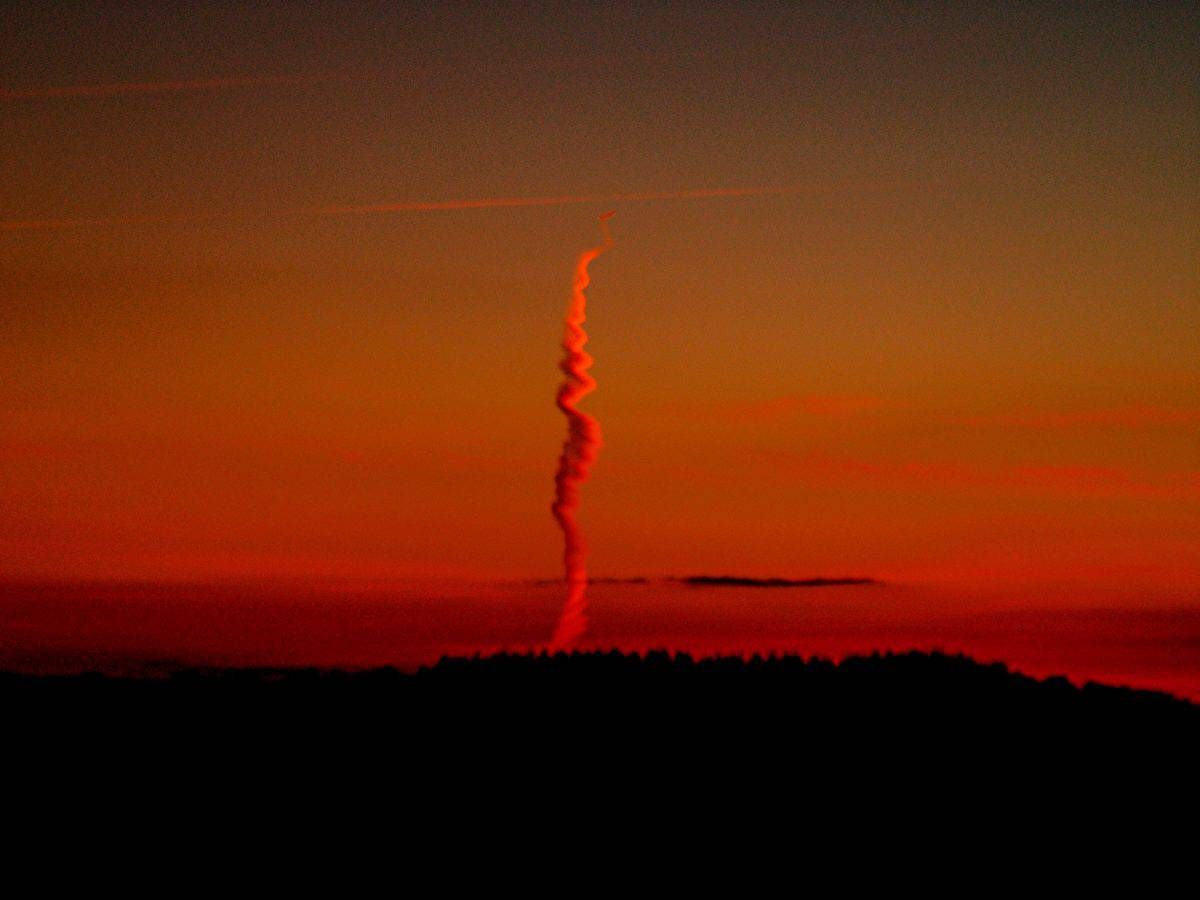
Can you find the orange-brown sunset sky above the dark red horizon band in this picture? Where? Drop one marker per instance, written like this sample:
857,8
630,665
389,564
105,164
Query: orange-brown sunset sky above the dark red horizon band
950,335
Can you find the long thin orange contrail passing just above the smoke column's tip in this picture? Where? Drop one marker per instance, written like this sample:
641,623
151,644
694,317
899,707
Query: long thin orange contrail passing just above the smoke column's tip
16,225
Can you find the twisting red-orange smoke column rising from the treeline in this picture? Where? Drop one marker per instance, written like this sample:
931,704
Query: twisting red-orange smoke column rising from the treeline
580,449
